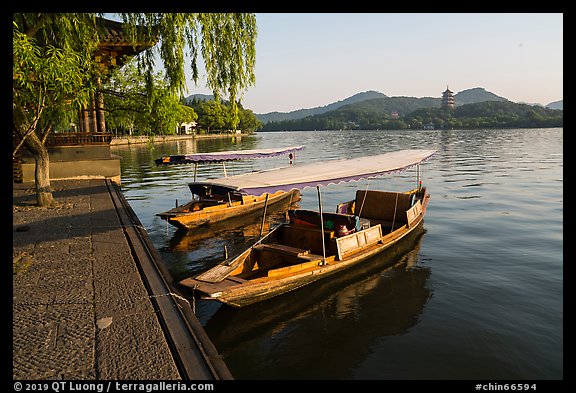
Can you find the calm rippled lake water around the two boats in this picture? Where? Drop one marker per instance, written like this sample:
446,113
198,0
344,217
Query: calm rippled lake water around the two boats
477,294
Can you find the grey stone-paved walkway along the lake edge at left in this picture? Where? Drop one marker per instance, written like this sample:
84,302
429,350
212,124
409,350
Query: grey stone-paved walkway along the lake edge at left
80,307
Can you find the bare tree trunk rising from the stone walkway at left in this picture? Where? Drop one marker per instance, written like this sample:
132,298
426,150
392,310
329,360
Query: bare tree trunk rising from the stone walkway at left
42,173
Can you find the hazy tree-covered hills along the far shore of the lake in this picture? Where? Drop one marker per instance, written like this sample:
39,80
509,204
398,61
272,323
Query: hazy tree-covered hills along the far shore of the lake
373,110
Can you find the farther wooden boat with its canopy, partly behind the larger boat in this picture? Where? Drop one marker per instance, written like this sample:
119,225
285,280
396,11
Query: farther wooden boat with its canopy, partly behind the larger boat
212,202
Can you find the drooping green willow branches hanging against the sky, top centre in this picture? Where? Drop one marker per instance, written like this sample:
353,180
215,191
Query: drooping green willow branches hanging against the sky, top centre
226,41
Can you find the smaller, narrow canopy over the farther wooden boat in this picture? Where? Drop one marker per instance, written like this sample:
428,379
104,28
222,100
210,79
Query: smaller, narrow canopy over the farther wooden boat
222,156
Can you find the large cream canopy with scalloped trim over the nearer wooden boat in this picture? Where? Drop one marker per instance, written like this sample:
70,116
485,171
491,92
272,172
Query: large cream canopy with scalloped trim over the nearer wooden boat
325,172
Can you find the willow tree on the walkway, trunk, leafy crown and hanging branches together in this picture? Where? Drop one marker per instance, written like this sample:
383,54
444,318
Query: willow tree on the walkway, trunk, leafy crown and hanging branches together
54,67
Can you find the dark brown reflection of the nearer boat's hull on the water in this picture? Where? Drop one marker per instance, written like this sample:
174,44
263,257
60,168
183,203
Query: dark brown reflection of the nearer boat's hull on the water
387,293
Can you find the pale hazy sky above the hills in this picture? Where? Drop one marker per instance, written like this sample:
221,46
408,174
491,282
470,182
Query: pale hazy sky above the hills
309,60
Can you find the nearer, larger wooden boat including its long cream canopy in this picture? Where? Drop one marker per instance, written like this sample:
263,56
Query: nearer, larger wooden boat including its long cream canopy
314,245
